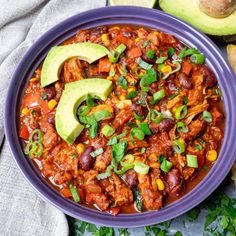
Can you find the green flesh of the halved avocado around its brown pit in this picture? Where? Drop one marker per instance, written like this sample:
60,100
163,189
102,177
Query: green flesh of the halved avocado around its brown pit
189,11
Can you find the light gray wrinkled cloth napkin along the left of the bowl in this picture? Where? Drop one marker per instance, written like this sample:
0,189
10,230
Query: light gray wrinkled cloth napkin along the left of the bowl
22,212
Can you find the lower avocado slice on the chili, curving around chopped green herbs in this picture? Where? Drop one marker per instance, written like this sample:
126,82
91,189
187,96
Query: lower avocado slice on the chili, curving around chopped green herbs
67,124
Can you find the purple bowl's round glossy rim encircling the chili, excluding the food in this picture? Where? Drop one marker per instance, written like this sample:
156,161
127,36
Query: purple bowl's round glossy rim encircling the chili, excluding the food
131,16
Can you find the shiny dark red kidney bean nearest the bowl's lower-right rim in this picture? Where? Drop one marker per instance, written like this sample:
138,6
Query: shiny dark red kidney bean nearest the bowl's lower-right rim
175,182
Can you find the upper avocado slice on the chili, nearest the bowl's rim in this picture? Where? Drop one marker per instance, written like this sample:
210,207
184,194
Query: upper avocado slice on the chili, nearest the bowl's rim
53,63
